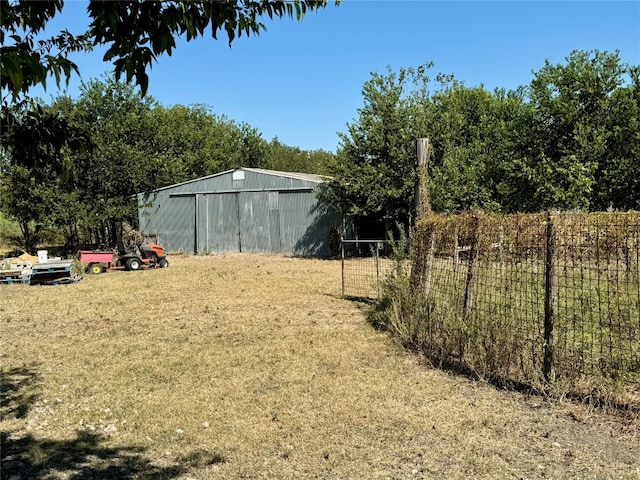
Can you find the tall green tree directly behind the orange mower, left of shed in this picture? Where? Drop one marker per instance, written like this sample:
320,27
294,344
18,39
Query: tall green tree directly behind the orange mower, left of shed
117,122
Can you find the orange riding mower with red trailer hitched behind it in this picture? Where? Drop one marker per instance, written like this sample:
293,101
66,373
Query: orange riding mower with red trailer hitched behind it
147,255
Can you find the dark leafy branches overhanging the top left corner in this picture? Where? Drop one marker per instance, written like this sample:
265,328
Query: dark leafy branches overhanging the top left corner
136,34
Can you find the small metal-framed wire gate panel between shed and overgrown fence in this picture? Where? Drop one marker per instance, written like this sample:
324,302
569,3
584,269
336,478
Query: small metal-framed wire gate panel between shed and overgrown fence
365,263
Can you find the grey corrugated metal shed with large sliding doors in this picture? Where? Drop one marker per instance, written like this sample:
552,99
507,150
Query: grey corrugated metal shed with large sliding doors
241,210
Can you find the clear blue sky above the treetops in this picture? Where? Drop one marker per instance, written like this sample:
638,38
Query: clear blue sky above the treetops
302,81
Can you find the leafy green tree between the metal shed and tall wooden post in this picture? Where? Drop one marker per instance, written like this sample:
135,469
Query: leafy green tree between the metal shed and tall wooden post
374,172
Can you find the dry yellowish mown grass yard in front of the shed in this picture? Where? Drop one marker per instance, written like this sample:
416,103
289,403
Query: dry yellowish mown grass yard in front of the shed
247,366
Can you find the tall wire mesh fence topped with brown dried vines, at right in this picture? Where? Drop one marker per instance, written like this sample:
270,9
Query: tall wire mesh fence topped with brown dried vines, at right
527,297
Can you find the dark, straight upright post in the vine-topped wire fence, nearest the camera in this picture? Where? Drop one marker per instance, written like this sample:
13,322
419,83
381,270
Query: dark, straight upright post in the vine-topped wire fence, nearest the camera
550,295
